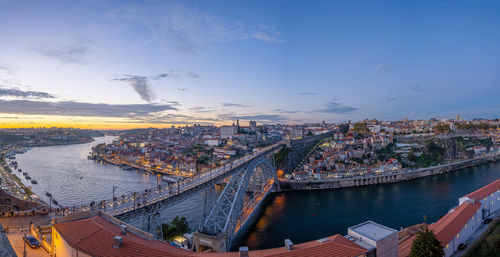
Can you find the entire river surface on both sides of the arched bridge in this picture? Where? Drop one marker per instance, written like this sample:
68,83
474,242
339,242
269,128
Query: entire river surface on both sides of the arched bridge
299,216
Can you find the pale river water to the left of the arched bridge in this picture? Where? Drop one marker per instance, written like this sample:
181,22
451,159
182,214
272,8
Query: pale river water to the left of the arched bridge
72,179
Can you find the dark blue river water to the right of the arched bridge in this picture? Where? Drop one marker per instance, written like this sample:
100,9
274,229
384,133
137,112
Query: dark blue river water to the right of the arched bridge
310,215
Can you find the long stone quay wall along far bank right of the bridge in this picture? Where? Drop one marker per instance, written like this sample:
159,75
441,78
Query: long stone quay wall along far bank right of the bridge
393,177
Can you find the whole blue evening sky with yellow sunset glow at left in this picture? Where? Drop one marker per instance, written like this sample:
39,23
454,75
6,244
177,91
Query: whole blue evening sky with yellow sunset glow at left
126,64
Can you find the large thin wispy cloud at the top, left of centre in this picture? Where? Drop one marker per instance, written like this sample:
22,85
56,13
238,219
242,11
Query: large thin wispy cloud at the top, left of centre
181,29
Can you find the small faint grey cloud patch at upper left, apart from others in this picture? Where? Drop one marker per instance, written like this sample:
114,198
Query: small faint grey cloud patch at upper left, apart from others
74,53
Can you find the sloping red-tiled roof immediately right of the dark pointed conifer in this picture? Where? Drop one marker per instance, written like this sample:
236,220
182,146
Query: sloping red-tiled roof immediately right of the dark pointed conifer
450,224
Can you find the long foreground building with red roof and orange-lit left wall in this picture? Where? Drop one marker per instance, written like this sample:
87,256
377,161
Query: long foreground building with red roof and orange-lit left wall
97,234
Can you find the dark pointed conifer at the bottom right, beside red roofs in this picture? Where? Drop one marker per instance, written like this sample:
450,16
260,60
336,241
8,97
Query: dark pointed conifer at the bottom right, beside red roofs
426,244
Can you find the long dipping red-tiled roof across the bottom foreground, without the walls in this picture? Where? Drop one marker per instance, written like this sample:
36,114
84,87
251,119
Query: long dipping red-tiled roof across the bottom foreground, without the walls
94,236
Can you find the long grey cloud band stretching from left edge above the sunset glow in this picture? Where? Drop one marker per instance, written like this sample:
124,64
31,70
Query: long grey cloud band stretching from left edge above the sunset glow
74,108
